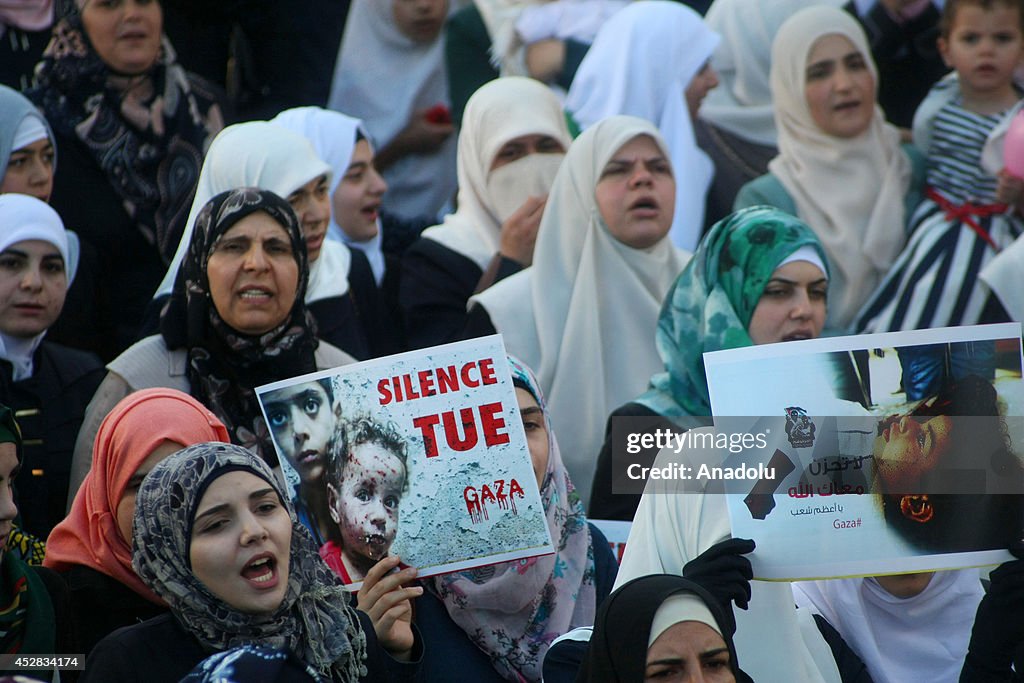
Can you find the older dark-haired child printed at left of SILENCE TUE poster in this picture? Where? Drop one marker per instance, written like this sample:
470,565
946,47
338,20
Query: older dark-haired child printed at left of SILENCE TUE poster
306,421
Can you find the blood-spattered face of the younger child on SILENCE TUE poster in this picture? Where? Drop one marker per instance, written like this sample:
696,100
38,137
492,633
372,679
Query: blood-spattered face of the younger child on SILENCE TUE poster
367,505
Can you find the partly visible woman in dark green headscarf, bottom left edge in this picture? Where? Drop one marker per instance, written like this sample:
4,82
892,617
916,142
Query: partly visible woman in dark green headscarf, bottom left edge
34,617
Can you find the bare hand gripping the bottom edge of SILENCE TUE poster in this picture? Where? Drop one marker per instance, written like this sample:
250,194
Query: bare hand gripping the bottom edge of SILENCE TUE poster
388,602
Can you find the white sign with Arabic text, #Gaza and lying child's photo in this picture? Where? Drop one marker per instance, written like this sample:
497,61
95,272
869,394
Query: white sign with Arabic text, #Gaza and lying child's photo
874,454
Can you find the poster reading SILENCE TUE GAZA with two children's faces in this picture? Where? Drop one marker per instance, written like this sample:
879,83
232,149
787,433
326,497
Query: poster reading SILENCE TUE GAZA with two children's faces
420,455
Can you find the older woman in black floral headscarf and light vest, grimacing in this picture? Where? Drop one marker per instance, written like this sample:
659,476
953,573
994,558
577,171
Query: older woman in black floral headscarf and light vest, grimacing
237,320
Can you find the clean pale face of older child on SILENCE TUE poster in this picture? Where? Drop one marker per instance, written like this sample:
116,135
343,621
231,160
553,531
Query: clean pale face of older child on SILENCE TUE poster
303,421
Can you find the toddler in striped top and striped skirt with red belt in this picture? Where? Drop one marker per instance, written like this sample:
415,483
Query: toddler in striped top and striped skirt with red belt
966,221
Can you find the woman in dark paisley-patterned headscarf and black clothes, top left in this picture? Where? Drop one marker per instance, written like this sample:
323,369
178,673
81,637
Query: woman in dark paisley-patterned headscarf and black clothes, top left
132,127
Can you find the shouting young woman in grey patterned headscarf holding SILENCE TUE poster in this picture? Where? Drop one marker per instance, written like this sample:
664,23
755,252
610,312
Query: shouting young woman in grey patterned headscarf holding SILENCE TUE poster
217,539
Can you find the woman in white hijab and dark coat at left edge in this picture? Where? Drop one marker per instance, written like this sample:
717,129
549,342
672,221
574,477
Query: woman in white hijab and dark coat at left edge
48,385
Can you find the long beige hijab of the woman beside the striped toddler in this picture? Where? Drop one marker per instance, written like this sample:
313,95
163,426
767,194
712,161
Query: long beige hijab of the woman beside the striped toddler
849,191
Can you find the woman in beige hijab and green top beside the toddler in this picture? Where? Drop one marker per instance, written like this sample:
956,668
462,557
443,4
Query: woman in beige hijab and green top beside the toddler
841,167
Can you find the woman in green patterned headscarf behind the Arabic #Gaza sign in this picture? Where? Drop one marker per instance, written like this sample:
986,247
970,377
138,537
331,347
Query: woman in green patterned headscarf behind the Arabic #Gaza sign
759,277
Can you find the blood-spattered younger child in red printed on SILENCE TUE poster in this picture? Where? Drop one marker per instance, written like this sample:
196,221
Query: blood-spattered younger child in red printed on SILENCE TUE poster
367,476
